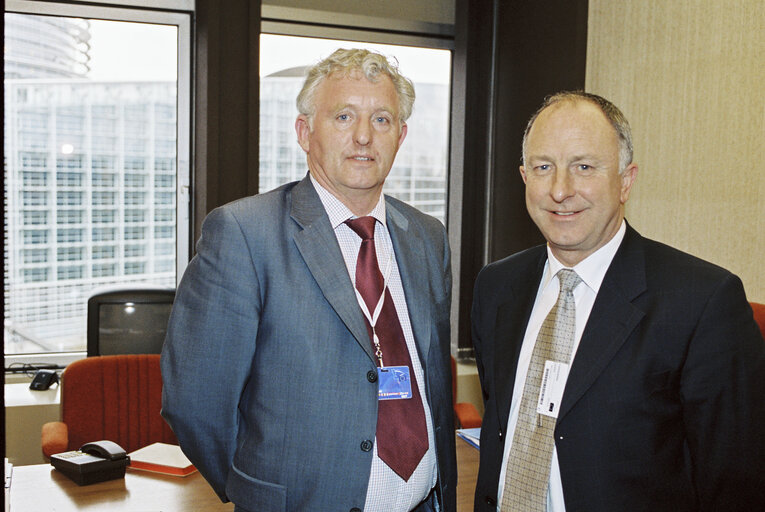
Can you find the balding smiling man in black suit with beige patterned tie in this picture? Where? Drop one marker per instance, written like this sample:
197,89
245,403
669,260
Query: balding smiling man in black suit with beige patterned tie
655,397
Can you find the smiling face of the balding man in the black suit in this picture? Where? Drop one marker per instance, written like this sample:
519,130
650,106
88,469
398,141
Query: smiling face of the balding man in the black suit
574,192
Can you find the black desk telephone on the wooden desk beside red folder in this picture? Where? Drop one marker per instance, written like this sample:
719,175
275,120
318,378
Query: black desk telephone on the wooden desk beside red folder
93,462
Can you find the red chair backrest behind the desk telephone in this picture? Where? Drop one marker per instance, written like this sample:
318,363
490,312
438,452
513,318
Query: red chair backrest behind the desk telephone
116,398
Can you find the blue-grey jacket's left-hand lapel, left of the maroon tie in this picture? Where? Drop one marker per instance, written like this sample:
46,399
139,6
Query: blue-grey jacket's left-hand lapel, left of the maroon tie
318,246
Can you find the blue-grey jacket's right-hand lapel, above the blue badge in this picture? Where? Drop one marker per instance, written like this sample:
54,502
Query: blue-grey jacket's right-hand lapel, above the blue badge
414,277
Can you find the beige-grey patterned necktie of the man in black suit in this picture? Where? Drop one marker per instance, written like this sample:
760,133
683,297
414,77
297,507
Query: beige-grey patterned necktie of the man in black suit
528,466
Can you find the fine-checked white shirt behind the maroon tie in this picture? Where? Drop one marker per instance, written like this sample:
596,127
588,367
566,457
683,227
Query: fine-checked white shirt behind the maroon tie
387,492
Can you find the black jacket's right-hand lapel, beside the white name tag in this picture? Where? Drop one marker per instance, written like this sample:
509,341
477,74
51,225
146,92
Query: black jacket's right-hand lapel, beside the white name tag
612,319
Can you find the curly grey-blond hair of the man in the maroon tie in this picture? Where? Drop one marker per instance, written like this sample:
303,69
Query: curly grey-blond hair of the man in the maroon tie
344,62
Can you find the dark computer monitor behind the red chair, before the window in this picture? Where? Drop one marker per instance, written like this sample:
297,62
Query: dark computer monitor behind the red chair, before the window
128,321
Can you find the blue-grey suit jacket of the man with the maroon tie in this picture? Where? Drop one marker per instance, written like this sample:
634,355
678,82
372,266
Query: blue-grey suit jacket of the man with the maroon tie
267,365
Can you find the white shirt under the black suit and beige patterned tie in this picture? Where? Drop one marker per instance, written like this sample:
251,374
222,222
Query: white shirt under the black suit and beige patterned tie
591,270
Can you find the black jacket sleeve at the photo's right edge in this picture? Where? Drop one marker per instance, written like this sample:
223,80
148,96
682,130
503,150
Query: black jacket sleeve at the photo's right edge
723,395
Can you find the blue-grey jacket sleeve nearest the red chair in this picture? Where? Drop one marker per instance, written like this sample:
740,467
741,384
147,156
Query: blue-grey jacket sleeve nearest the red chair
210,345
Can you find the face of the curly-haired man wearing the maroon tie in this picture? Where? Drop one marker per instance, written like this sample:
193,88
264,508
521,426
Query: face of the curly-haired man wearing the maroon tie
353,138
